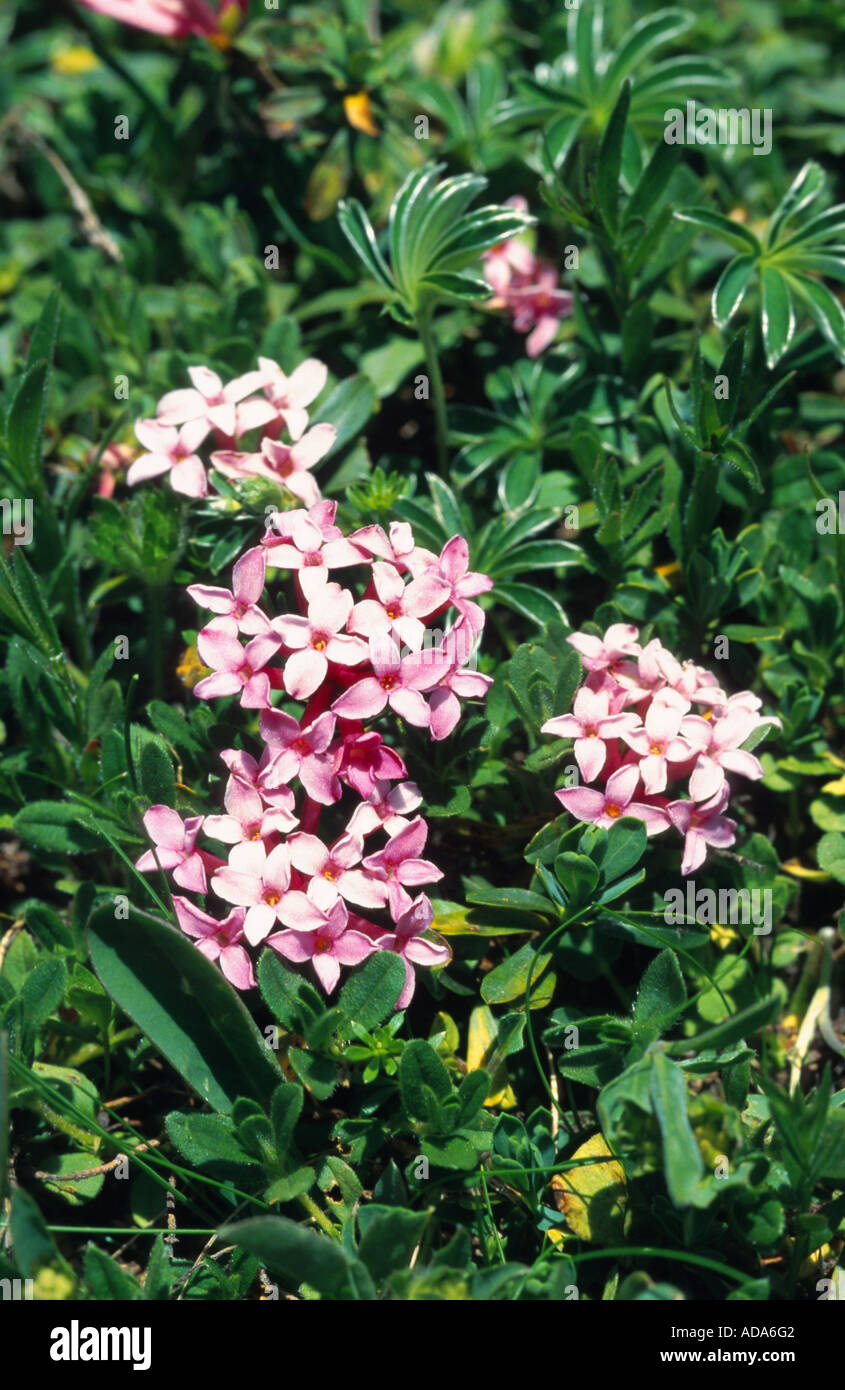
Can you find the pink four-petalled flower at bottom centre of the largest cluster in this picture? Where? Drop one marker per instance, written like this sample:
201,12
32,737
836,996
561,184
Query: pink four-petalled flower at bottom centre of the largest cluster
319,933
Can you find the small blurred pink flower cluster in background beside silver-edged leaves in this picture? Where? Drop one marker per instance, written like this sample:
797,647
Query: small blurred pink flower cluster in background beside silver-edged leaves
527,287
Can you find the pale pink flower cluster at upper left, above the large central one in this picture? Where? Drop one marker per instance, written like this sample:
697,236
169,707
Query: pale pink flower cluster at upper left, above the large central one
263,407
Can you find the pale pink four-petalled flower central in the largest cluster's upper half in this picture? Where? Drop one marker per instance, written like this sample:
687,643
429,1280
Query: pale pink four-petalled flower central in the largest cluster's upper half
319,640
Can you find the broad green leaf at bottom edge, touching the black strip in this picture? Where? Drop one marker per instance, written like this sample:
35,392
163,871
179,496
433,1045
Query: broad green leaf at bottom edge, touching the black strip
302,1257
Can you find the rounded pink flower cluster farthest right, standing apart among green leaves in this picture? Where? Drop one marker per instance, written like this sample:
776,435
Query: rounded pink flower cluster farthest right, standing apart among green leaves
644,721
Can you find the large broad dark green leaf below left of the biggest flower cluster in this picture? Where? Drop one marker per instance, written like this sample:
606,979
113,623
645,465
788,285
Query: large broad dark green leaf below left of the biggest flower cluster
184,1006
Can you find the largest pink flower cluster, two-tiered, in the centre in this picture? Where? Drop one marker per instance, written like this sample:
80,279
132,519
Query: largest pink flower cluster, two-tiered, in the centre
347,662
